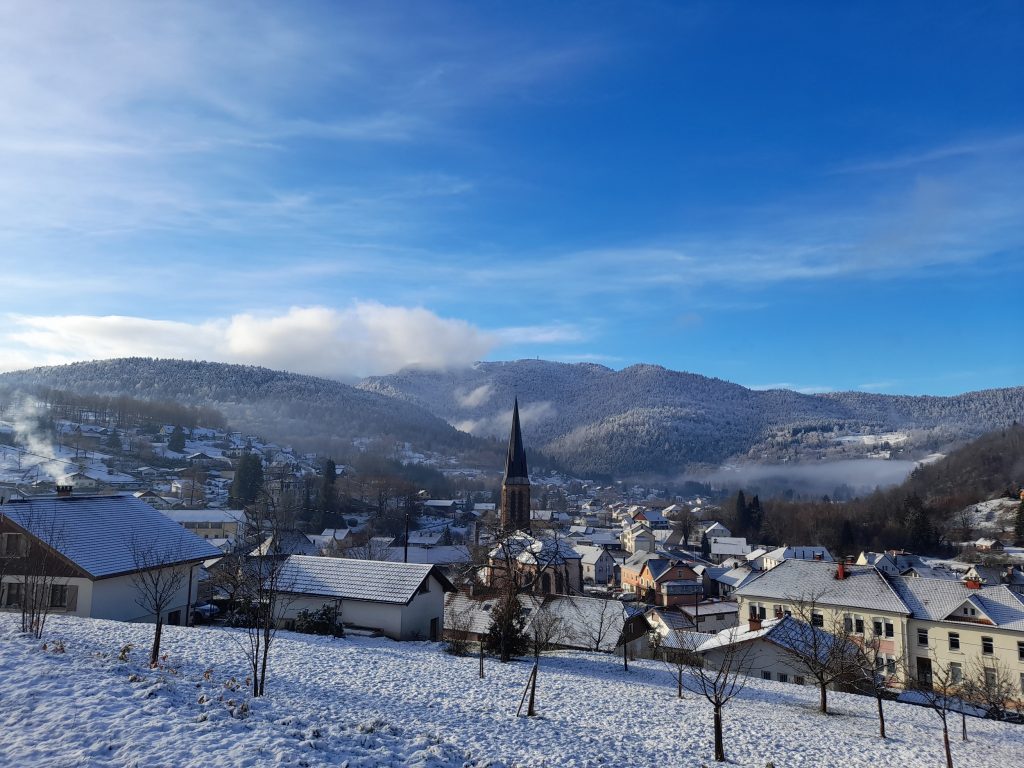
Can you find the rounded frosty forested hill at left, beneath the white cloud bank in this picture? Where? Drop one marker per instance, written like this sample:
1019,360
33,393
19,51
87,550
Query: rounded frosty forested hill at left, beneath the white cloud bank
304,411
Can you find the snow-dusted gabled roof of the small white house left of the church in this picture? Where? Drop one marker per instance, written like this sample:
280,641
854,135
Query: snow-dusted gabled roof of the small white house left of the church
373,581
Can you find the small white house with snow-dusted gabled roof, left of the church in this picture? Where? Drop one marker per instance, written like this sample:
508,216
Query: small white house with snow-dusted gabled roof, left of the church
404,602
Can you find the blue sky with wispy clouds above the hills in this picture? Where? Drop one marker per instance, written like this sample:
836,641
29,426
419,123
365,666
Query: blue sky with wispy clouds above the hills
795,195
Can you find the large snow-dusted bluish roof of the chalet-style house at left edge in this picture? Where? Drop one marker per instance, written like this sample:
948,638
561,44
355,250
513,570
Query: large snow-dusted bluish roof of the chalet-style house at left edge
99,534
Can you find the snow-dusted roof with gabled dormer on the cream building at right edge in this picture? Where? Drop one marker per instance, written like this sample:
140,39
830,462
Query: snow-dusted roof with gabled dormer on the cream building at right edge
935,600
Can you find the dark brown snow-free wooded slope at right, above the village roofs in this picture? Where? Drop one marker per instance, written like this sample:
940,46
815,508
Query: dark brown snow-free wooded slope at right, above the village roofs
919,516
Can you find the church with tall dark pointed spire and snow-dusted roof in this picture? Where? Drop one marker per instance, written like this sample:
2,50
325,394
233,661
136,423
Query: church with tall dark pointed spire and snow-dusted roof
543,565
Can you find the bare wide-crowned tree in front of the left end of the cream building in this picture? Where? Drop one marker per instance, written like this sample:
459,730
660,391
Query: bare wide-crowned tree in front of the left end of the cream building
824,650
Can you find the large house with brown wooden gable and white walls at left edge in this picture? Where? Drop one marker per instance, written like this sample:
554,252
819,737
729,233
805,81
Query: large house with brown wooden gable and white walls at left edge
92,549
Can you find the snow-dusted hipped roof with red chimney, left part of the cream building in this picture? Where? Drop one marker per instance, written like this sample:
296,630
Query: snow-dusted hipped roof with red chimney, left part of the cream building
794,580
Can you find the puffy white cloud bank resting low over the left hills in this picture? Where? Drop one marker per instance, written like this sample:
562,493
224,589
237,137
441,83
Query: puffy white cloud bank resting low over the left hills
362,340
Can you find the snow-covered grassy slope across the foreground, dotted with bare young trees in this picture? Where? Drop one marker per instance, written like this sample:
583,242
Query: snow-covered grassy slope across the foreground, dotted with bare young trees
376,703
